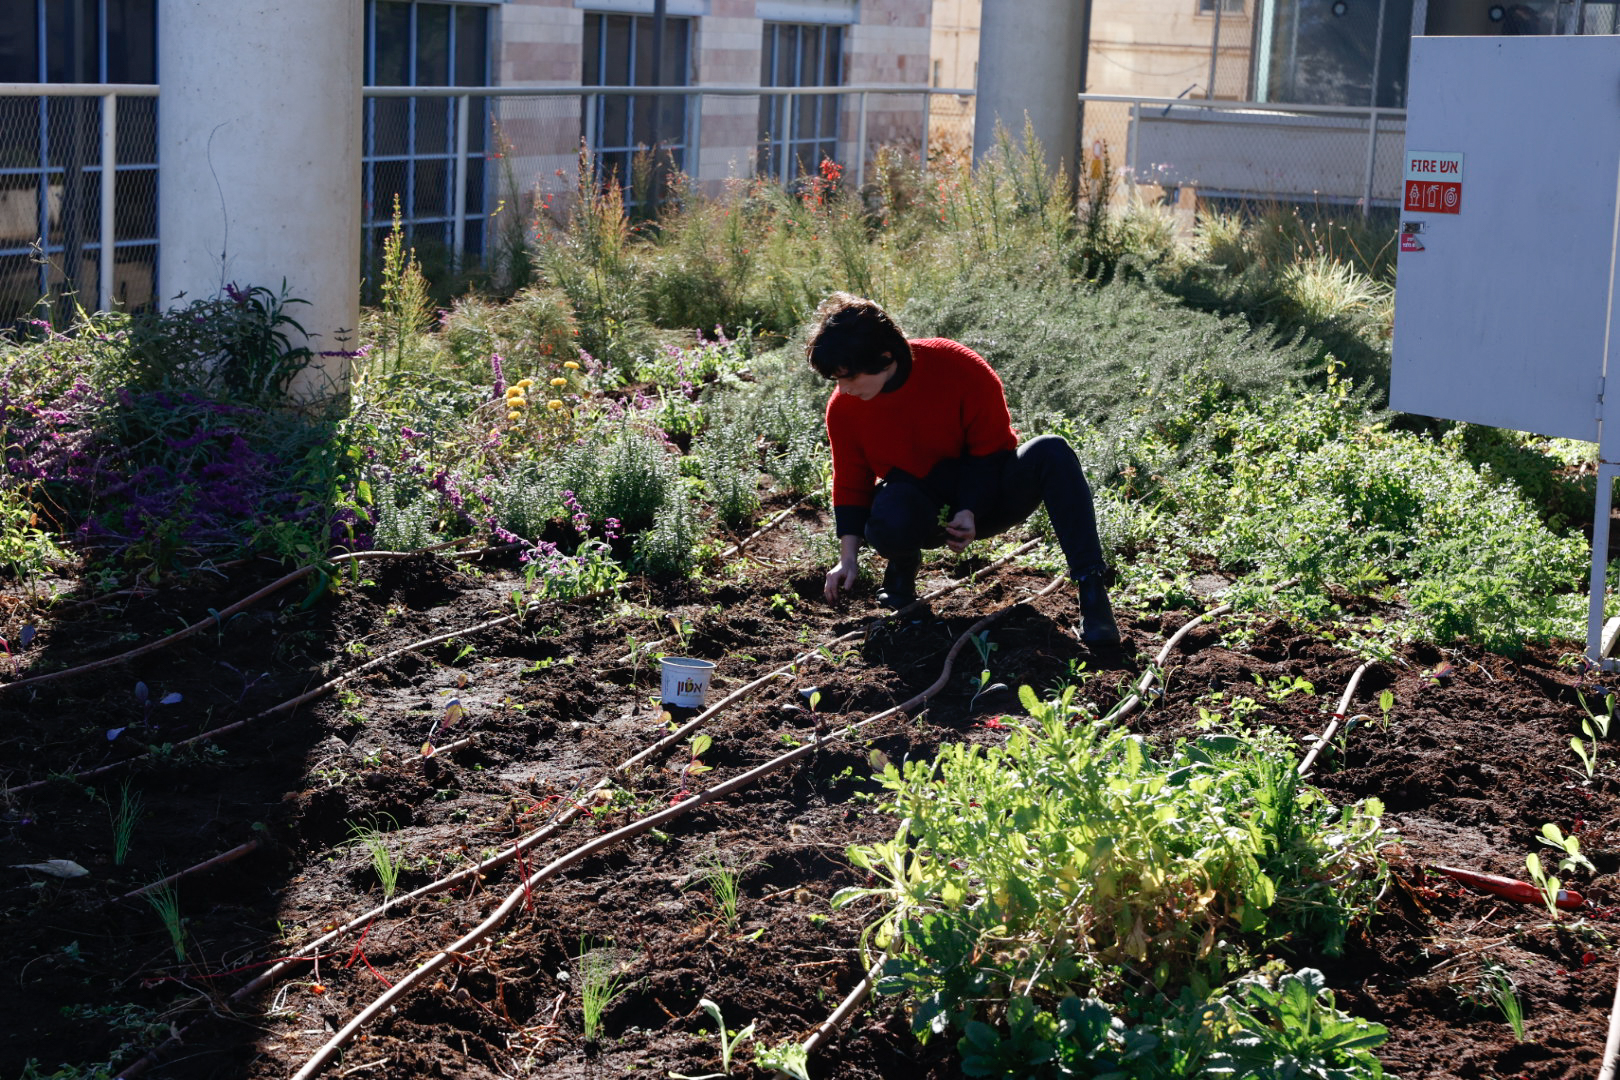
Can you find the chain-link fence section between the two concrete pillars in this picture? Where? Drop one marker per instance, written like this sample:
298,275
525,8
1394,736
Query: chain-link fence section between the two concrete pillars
469,169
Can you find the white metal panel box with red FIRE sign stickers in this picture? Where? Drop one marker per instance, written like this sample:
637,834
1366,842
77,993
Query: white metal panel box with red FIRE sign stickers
1507,247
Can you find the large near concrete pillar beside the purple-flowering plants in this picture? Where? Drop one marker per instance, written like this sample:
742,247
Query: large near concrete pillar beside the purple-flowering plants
260,130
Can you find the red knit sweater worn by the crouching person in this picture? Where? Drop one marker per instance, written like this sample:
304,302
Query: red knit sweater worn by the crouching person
952,406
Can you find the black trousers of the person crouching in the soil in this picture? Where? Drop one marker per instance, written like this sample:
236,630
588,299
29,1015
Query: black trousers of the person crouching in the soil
906,509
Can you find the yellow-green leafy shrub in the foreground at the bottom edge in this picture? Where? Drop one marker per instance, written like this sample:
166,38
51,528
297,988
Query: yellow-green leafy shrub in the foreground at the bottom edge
1102,882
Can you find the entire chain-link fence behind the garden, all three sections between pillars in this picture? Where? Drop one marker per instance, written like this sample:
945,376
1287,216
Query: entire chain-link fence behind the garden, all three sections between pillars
469,168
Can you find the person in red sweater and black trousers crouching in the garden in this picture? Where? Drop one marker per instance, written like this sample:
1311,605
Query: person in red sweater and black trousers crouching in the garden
923,436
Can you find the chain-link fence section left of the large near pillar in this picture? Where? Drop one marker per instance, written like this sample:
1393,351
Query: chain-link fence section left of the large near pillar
79,198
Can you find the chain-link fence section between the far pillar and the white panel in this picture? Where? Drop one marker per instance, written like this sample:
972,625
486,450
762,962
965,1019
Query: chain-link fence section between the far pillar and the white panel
1182,153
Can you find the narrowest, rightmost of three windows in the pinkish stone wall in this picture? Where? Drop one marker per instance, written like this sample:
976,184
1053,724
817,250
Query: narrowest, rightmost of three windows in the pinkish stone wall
799,130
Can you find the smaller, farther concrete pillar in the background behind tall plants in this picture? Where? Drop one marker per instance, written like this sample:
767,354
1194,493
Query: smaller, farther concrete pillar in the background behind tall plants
1030,62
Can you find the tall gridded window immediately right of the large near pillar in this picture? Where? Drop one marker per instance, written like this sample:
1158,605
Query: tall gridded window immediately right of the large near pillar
411,143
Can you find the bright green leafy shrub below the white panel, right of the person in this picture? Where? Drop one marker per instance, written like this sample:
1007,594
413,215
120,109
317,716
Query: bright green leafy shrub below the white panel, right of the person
1323,491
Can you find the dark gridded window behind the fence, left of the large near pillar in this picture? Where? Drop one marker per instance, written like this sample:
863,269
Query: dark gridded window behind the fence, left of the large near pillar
51,151
